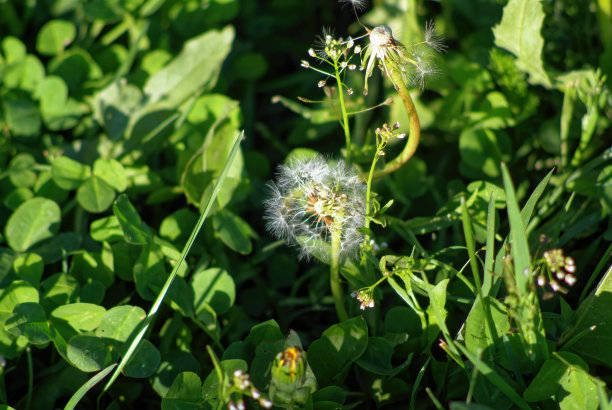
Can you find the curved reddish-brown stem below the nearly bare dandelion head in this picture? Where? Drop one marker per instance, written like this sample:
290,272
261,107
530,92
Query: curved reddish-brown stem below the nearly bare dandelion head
415,126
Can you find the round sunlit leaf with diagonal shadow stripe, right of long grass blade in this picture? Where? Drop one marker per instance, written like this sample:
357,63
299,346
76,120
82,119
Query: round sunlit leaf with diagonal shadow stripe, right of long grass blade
214,287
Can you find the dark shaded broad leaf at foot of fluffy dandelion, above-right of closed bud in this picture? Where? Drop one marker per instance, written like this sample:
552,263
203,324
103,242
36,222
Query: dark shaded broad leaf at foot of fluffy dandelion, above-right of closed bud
339,346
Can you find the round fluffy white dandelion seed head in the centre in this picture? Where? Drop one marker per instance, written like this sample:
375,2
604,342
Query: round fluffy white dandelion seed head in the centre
313,200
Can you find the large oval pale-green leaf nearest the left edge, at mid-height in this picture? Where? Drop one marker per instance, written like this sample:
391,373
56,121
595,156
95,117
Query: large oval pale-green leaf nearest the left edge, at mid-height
34,221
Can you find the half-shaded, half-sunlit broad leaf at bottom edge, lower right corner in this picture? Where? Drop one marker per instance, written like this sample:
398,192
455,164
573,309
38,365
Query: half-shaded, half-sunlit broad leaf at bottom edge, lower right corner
564,378
